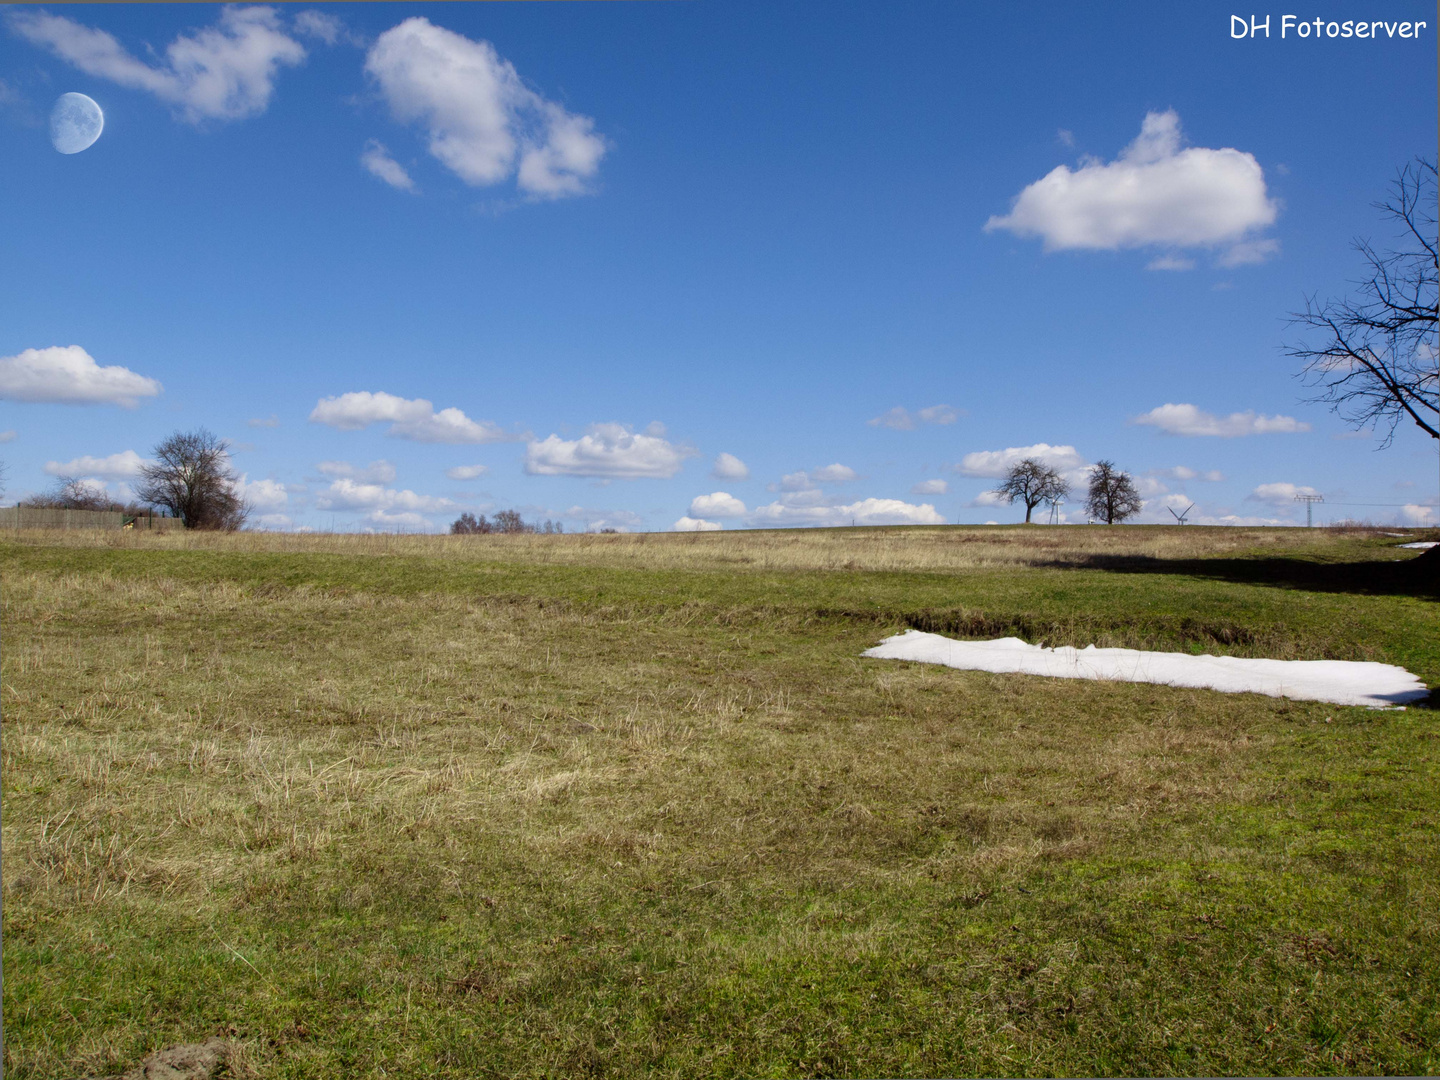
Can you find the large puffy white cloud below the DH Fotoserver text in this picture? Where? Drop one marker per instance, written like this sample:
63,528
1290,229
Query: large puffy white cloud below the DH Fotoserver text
1154,194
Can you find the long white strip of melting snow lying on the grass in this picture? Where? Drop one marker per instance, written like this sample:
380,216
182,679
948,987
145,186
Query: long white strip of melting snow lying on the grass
1341,682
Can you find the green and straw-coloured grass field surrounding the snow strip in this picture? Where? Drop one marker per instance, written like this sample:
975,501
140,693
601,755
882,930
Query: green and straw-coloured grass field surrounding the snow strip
634,806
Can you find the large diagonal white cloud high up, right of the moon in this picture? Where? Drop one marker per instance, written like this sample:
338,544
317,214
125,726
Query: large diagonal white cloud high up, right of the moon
485,125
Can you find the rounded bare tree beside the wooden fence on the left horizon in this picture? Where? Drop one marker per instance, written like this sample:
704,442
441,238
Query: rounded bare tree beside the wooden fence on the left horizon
194,480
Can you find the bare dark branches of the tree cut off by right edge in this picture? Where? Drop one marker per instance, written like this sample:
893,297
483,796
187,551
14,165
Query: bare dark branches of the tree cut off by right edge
1376,358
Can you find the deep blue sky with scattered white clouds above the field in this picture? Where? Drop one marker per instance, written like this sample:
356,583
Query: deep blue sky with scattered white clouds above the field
591,248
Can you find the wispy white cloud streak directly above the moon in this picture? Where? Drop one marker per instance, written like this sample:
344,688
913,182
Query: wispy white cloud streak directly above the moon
221,73
